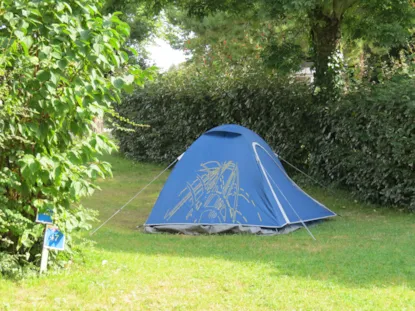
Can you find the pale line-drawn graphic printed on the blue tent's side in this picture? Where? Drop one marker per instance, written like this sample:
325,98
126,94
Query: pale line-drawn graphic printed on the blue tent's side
213,196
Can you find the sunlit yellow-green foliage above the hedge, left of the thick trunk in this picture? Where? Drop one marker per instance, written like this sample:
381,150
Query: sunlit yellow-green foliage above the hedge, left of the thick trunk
224,40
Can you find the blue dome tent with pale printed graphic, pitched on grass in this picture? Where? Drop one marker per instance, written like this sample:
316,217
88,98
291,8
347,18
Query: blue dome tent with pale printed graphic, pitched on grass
230,180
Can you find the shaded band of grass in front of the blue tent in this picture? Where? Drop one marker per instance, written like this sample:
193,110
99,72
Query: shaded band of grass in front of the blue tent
363,257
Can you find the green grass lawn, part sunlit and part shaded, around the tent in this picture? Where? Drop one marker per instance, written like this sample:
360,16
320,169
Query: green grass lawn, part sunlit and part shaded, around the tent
364,260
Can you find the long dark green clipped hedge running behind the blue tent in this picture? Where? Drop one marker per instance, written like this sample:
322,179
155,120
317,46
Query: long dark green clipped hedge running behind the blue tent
365,143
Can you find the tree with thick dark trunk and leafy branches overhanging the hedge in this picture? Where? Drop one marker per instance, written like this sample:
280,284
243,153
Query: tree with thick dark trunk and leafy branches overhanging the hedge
383,22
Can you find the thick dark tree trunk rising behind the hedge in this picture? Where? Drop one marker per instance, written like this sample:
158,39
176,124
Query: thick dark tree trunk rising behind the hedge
325,32
